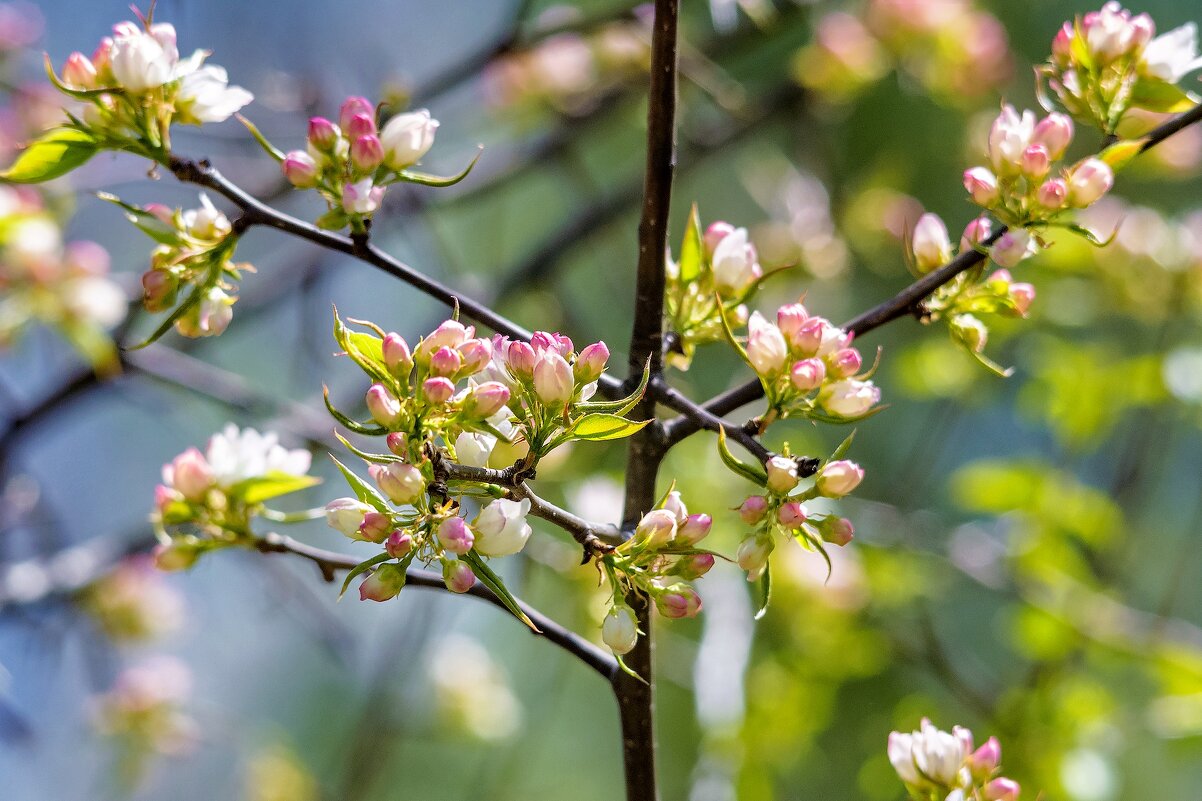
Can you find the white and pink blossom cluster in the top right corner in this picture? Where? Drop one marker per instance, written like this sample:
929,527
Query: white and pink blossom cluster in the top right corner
1109,63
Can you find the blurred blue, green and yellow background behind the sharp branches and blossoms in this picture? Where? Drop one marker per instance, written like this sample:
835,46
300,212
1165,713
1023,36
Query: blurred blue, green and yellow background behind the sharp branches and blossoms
1027,559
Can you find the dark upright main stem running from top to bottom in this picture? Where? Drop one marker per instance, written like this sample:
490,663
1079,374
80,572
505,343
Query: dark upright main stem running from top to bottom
635,698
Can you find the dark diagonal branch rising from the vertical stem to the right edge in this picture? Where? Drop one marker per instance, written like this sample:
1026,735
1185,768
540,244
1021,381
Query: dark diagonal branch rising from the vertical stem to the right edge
908,301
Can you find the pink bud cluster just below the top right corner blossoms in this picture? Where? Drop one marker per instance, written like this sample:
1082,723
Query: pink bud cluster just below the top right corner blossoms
1024,185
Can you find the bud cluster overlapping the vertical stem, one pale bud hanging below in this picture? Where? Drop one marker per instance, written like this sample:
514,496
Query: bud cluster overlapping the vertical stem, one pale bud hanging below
658,562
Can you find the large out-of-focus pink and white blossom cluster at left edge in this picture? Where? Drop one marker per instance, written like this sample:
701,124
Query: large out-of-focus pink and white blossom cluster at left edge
64,286
